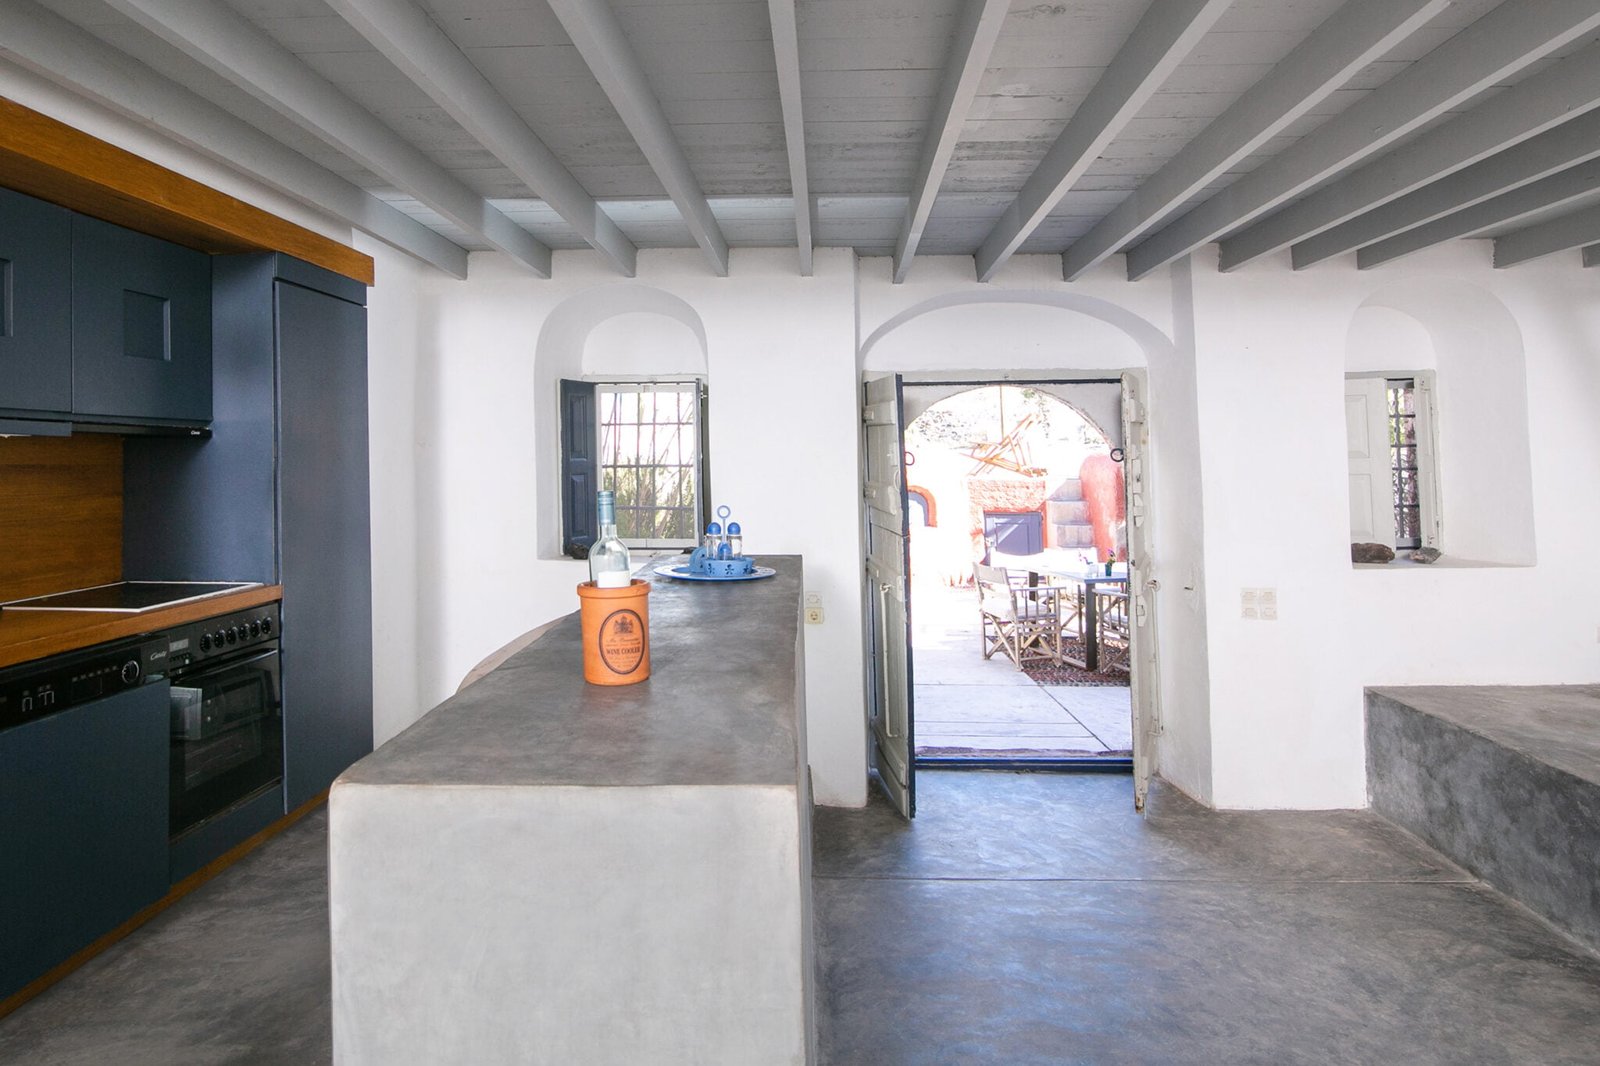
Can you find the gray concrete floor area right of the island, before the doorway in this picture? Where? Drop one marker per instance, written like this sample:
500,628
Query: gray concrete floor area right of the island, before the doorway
1038,920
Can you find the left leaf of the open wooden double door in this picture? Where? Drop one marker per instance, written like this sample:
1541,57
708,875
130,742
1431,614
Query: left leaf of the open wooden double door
889,591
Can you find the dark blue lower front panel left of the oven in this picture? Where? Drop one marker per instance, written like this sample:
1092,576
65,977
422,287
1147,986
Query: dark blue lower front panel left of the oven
82,828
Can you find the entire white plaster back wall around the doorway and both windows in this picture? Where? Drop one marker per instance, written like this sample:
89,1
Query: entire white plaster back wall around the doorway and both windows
1249,478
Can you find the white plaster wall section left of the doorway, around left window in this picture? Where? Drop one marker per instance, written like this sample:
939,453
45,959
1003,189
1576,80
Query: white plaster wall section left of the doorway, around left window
780,356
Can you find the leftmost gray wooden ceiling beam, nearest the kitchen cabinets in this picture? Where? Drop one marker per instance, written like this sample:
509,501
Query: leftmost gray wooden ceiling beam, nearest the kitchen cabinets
68,55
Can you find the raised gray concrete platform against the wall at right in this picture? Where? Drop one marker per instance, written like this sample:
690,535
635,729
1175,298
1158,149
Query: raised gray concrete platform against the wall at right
1505,782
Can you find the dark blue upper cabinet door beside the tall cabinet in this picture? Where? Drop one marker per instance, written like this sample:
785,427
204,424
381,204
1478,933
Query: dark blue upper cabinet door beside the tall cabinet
142,327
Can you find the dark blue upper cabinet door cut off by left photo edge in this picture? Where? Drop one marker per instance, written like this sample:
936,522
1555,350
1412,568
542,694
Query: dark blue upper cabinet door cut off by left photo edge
36,318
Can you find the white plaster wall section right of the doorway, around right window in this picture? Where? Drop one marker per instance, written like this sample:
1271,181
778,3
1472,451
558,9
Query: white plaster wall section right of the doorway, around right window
1271,356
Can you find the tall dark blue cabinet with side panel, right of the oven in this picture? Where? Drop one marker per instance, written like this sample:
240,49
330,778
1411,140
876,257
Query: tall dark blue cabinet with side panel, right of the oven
279,494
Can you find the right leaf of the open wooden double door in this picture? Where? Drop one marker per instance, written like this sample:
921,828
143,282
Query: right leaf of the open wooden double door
1143,660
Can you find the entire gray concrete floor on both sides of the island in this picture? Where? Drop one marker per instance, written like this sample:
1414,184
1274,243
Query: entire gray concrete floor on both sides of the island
1023,920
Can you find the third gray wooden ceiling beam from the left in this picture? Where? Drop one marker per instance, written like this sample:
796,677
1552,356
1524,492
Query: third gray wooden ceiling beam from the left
410,41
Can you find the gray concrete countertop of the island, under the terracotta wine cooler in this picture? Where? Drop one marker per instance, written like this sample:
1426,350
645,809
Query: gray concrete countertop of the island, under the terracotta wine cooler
718,710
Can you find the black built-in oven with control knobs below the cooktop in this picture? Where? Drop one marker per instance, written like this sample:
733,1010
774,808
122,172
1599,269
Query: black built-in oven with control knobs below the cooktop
226,715
